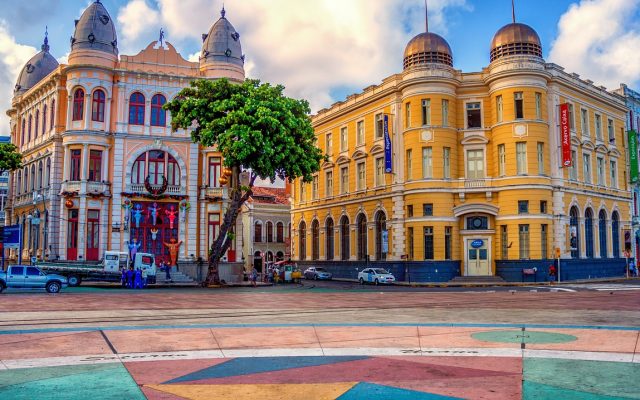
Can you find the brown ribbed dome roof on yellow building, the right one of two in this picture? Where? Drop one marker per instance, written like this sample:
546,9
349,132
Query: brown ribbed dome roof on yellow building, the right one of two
515,39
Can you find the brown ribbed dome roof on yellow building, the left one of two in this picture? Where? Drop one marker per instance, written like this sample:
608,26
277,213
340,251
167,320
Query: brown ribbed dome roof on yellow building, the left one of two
427,48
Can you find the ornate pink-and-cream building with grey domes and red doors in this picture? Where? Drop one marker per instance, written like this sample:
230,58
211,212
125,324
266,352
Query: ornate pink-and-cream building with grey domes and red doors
102,168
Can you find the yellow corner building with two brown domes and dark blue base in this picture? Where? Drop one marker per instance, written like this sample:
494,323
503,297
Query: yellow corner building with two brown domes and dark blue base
477,186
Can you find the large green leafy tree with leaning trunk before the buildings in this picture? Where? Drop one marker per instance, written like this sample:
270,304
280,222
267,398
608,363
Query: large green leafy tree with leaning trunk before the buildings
261,134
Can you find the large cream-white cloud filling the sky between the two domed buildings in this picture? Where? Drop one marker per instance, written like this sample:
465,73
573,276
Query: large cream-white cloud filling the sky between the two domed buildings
313,48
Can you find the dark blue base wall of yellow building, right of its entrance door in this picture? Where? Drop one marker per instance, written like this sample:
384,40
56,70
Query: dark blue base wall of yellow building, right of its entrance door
572,269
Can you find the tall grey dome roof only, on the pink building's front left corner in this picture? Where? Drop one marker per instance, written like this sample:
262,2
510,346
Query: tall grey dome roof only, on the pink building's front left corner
95,31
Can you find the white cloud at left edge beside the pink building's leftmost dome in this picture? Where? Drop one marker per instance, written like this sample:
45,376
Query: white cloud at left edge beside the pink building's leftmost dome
13,57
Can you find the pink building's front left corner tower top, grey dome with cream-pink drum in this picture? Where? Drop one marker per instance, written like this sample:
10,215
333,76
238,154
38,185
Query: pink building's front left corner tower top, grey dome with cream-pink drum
94,40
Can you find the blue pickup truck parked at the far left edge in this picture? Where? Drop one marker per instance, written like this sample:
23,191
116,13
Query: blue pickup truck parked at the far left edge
28,277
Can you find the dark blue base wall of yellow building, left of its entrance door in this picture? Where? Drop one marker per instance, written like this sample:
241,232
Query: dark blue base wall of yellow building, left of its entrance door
407,271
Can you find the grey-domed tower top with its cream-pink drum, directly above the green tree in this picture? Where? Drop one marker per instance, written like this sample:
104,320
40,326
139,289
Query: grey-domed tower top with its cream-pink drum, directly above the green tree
221,55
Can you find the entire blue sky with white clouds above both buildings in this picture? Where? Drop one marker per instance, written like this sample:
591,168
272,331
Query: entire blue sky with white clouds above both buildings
324,50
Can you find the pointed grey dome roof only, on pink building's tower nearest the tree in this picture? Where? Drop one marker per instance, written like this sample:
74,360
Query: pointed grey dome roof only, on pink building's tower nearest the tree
222,44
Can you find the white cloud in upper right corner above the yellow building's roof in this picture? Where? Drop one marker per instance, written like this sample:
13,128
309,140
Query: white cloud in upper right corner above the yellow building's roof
599,40
